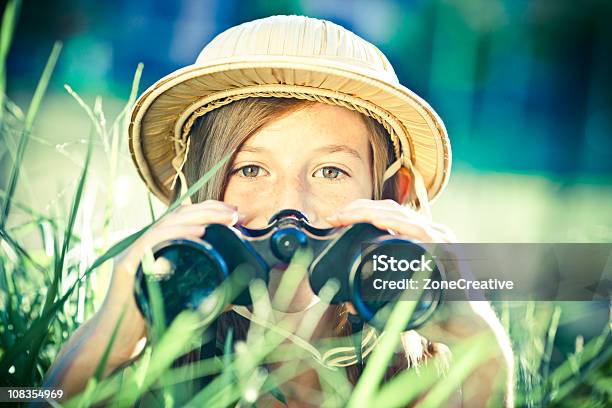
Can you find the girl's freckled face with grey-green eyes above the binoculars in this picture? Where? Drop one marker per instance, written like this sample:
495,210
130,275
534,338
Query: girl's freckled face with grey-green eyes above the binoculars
315,160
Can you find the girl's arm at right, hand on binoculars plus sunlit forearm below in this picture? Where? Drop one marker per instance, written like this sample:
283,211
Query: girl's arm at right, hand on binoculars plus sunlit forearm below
463,319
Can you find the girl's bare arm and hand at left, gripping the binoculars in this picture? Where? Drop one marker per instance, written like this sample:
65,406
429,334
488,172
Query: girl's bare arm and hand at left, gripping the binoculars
79,357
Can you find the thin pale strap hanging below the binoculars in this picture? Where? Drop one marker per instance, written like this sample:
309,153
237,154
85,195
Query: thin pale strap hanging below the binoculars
332,358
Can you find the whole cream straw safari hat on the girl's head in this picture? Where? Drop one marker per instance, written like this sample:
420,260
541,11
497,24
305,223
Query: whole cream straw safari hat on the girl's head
286,56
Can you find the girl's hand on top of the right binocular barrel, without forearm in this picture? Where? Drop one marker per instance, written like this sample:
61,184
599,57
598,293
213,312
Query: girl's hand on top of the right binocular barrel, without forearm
393,217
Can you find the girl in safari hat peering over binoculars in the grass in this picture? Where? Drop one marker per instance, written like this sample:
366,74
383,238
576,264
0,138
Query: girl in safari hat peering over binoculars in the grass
315,120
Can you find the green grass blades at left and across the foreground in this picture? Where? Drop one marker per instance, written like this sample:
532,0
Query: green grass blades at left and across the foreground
46,292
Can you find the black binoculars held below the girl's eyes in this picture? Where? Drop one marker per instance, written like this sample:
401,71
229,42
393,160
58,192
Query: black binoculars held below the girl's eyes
357,257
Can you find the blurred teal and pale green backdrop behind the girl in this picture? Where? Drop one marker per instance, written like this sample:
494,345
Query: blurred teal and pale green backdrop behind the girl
524,88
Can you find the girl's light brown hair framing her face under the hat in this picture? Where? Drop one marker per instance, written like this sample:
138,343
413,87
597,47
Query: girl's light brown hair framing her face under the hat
225,129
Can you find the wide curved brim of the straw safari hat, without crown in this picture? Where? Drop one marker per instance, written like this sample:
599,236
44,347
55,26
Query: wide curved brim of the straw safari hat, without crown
160,112
